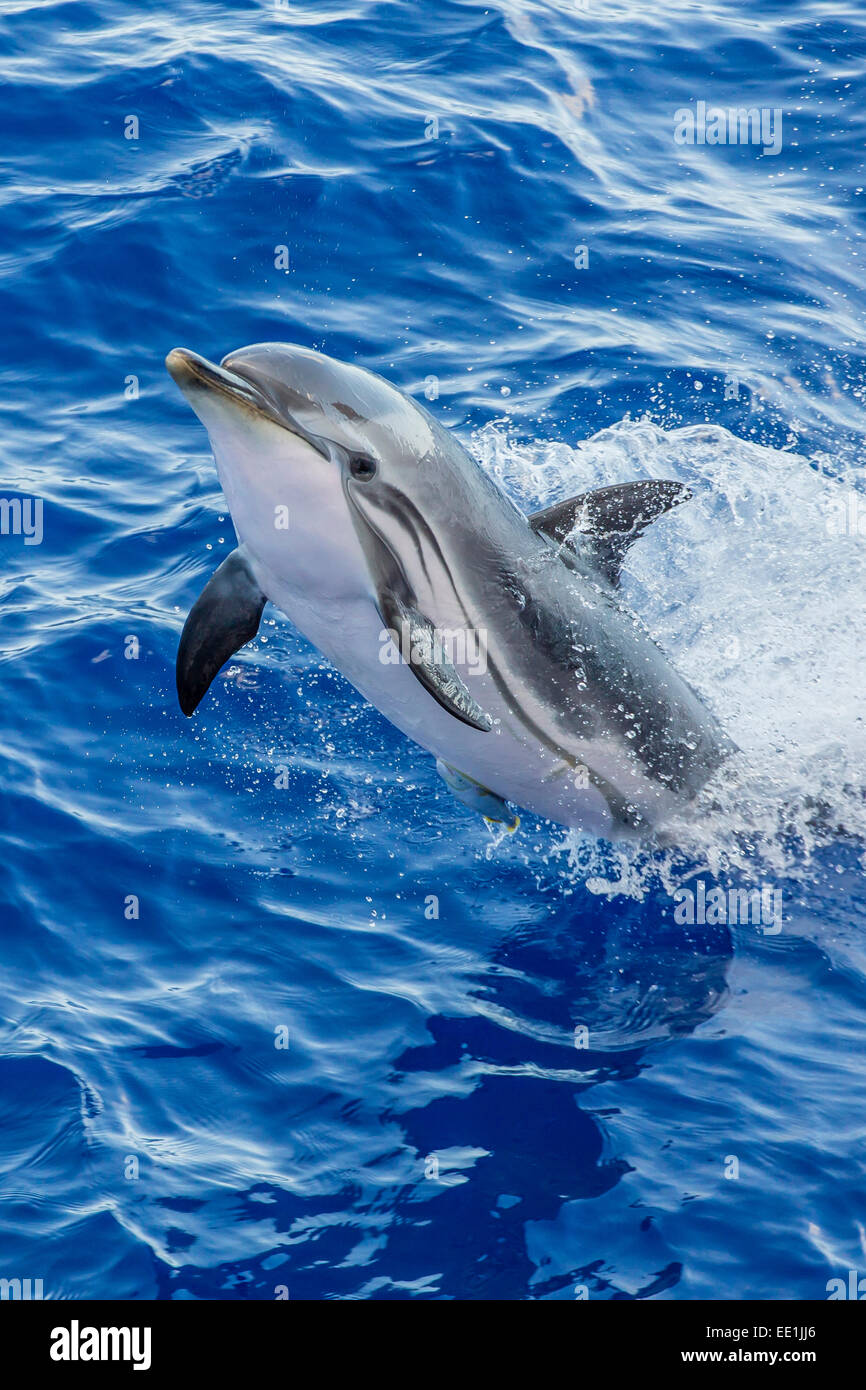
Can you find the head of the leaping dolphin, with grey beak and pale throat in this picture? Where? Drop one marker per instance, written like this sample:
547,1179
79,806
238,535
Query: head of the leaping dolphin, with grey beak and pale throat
313,457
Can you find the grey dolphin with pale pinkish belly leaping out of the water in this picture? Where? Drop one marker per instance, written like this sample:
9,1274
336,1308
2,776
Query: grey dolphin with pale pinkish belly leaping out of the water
497,641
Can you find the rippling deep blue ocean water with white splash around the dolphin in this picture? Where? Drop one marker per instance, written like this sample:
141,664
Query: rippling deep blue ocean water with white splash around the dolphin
486,204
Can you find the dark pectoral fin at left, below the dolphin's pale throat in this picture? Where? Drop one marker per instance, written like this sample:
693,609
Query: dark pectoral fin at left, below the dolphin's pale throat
223,619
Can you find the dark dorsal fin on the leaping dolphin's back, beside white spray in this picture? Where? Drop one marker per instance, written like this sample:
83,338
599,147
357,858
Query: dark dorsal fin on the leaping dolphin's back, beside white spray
610,519
